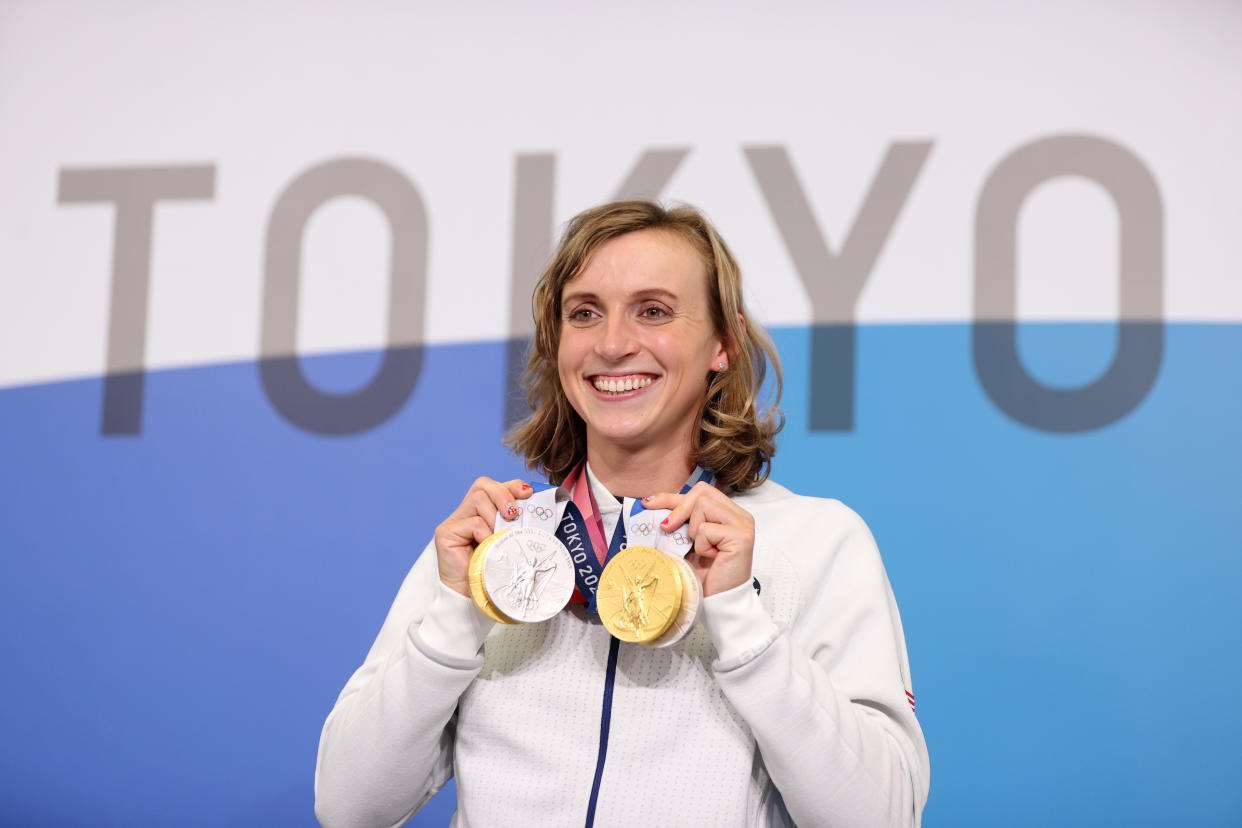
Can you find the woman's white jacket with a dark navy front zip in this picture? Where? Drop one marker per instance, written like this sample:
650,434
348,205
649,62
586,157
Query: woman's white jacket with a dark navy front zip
784,704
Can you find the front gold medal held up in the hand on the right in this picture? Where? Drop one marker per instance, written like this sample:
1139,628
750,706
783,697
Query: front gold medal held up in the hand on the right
640,594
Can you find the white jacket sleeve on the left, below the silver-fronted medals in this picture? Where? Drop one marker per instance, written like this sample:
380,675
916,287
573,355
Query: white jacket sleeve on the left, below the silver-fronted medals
388,744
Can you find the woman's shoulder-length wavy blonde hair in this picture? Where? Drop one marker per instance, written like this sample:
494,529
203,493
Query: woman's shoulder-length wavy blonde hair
737,435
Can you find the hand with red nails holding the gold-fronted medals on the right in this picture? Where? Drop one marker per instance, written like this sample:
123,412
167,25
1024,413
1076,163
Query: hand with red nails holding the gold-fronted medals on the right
723,534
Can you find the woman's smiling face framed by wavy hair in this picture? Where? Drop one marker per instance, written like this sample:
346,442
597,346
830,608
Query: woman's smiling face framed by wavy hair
638,342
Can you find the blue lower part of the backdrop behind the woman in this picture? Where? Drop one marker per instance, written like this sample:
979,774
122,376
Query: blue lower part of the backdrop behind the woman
179,610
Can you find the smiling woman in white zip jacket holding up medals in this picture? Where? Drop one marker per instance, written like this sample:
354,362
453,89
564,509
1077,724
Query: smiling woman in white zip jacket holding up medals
788,702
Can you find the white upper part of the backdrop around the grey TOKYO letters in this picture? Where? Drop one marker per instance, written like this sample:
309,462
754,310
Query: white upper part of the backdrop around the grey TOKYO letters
450,95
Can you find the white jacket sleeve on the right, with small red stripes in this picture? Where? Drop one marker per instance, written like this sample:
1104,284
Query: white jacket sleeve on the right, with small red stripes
827,697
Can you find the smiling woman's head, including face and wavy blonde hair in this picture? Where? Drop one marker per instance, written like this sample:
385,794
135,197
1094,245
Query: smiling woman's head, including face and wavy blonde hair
673,289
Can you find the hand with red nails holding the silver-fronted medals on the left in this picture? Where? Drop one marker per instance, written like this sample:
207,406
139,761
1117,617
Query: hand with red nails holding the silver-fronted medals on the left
471,524
